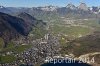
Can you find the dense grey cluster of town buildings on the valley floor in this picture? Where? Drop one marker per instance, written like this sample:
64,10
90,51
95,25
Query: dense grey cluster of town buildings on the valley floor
41,48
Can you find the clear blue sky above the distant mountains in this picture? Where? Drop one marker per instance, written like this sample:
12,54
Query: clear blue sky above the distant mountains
35,3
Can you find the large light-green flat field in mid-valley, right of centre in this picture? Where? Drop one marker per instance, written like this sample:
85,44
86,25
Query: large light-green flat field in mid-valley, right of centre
73,31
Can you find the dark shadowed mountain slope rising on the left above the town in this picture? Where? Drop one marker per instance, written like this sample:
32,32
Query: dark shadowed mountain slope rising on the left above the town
12,27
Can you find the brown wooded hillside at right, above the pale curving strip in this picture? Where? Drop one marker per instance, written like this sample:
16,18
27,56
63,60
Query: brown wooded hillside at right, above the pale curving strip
84,45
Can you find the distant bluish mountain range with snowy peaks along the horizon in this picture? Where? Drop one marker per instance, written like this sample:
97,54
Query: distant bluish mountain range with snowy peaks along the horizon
69,11
